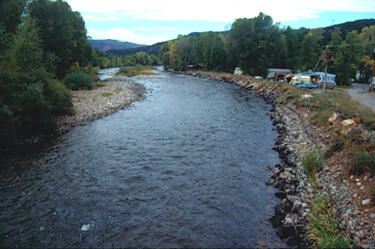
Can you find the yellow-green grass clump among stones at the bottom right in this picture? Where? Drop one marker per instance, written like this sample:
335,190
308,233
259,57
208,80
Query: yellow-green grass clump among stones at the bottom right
323,226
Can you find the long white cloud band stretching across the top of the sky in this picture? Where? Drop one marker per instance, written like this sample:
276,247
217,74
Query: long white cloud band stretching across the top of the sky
216,10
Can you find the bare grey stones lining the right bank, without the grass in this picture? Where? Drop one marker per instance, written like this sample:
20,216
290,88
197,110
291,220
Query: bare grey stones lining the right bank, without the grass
297,135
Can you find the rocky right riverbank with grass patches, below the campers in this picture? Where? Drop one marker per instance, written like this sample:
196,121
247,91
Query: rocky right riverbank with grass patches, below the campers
299,215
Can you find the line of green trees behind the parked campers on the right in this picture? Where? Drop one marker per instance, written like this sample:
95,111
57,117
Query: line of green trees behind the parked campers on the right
256,44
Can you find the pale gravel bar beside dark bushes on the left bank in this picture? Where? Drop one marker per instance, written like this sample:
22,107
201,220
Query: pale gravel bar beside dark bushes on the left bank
90,105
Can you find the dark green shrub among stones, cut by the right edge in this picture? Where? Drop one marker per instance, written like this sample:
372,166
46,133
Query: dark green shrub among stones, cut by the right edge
361,159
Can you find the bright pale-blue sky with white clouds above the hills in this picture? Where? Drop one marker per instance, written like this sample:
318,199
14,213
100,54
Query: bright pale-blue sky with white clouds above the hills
151,21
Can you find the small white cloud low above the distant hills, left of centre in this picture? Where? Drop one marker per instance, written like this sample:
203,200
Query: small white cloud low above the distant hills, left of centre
122,34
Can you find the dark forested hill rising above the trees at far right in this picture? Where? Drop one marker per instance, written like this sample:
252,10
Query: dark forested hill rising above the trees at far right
347,27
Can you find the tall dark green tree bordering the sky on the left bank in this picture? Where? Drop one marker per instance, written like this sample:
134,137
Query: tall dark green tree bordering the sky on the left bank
62,32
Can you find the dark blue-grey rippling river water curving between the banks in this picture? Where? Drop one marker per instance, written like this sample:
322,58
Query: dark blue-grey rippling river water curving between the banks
186,167
